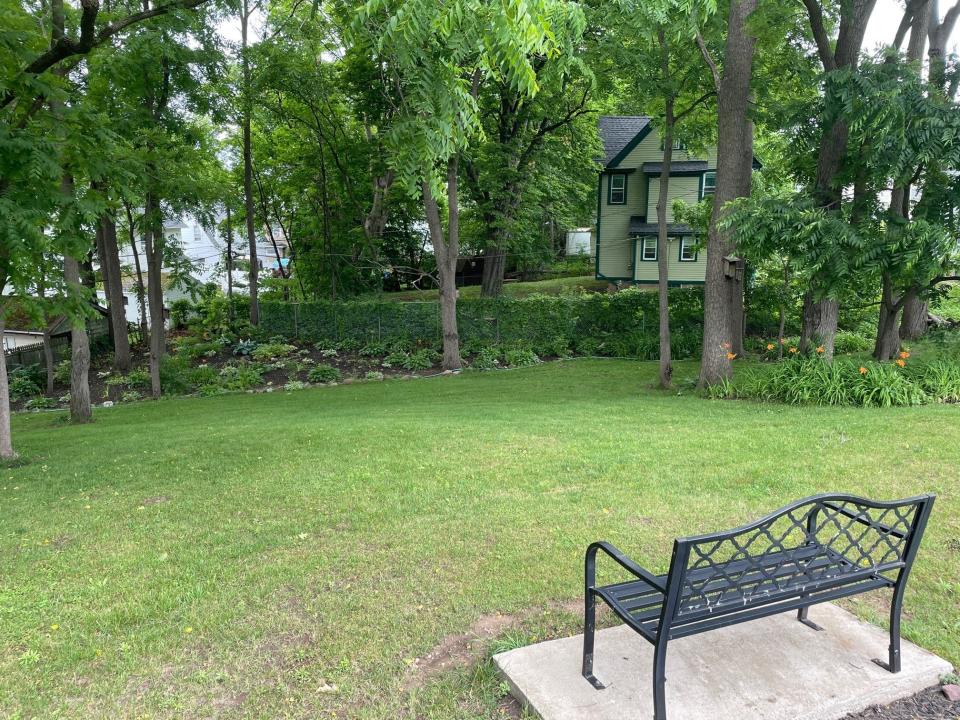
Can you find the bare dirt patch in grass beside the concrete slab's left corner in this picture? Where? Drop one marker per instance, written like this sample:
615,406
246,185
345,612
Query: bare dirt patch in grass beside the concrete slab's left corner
465,648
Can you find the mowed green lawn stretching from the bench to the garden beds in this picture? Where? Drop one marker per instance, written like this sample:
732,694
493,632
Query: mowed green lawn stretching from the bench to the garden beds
290,555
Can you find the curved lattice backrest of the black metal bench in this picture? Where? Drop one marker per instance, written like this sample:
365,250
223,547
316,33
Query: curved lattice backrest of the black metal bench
823,539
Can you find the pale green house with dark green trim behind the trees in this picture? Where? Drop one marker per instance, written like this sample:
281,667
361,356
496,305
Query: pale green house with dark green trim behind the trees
628,188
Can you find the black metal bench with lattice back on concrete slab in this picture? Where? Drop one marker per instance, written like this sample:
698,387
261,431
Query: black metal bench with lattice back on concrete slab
818,549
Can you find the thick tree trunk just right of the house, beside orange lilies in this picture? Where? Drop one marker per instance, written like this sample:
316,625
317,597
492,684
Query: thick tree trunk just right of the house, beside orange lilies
734,168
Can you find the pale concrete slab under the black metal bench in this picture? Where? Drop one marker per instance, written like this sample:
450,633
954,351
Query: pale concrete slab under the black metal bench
770,669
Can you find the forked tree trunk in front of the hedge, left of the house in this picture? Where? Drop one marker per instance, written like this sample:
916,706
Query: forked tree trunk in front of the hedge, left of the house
447,250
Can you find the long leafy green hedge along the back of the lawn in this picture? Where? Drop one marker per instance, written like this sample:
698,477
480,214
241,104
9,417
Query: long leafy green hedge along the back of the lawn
623,324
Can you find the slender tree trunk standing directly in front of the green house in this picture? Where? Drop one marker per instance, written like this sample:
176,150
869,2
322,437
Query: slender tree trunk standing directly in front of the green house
663,257
